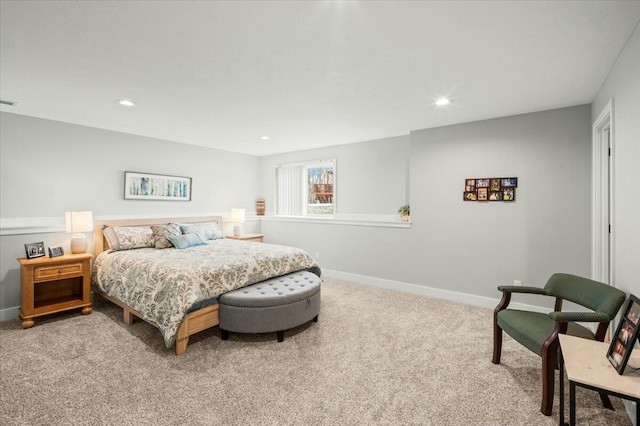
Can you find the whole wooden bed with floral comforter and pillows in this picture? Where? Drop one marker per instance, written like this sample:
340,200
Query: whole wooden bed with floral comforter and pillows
176,289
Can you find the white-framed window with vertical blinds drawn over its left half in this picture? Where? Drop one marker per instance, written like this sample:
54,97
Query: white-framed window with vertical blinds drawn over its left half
306,189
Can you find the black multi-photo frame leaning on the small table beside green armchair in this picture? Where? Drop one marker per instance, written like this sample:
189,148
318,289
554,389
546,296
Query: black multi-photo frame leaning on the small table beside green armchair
626,335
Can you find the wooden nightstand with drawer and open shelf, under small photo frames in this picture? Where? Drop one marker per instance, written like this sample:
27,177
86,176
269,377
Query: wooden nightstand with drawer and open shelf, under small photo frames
49,285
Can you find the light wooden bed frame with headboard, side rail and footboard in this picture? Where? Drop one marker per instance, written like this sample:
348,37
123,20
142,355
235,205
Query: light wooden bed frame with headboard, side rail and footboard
195,321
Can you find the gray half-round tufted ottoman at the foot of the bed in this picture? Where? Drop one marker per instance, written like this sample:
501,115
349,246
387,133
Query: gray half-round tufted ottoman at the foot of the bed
277,304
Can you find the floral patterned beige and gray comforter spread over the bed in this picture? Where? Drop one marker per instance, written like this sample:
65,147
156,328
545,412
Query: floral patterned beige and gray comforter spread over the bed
162,285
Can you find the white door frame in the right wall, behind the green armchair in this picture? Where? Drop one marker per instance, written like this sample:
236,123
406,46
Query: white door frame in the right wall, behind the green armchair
602,192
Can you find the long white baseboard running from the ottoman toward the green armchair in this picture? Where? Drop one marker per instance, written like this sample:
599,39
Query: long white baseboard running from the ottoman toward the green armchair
454,296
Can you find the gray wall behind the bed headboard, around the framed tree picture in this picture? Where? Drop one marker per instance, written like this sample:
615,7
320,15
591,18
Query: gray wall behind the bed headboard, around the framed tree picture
49,167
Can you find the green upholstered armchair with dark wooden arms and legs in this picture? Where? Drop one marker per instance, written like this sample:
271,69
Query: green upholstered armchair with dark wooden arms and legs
538,332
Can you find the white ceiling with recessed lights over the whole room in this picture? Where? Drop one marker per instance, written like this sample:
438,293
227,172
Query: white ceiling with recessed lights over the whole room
305,74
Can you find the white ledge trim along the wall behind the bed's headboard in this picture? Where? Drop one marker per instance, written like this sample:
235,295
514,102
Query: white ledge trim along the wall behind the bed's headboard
46,225
